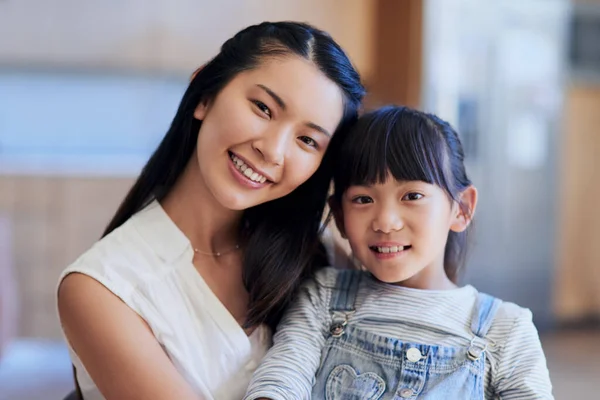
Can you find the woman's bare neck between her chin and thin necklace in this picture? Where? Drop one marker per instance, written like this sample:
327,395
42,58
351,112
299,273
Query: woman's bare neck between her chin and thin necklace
208,225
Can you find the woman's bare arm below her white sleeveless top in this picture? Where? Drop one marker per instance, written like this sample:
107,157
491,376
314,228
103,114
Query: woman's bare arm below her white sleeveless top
115,344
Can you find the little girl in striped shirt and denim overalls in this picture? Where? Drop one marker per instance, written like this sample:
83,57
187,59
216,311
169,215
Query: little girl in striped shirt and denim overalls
402,329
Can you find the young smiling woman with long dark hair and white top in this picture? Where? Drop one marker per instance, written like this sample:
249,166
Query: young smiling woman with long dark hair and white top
176,300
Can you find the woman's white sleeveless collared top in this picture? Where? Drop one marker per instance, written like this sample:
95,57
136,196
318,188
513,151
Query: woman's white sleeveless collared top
147,262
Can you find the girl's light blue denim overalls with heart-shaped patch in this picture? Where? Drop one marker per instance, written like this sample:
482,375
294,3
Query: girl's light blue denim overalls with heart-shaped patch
360,365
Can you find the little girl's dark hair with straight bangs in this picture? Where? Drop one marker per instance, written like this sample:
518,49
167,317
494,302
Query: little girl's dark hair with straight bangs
412,146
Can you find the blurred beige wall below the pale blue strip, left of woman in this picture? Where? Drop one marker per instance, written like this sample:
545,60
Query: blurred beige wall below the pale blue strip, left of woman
54,220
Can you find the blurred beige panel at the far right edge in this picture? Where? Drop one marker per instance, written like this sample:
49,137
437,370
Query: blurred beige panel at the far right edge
578,275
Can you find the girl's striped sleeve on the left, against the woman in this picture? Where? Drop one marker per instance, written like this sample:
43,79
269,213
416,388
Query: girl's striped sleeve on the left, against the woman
287,372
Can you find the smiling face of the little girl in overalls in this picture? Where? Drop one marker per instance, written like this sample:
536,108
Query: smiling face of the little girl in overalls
398,230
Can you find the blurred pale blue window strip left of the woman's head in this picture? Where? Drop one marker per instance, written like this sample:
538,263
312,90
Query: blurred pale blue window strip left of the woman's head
75,123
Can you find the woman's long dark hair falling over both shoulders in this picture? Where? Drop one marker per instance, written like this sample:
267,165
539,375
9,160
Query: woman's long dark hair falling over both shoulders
281,236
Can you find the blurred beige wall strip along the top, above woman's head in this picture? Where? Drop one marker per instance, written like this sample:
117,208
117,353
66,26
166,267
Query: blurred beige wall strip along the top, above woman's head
162,35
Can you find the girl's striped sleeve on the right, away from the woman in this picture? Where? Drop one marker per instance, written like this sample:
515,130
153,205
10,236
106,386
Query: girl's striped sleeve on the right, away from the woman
521,370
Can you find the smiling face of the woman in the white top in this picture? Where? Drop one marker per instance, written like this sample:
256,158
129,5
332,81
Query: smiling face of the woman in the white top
266,132
